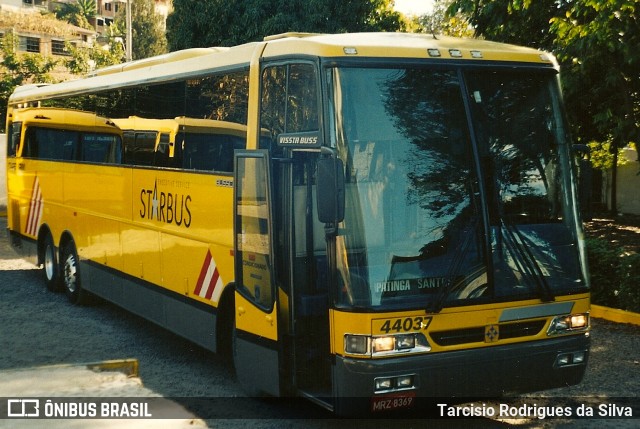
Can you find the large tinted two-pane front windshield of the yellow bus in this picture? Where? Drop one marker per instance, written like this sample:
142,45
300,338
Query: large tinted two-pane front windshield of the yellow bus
453,201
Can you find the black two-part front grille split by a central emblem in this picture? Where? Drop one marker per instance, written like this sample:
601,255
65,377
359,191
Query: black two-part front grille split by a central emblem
476,335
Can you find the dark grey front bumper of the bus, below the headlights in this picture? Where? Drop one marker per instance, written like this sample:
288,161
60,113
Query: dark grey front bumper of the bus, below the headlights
472,373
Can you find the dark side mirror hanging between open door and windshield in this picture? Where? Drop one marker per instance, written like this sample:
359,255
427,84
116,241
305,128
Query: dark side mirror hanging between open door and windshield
330,190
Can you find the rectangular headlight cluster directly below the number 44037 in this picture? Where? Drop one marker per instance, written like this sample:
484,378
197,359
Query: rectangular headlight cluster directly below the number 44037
386,344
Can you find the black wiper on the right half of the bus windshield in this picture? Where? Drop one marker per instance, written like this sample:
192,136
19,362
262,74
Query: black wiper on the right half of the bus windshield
525,260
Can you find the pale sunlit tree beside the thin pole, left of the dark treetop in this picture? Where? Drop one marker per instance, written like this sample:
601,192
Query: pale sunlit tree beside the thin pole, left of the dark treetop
147,28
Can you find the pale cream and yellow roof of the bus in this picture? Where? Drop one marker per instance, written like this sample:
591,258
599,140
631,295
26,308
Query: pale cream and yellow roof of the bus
198,61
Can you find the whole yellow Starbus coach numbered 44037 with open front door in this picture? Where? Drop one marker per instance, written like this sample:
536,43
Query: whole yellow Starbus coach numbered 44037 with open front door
400,223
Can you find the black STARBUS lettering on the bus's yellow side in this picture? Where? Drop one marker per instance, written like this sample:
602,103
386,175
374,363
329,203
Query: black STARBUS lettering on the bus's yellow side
167,207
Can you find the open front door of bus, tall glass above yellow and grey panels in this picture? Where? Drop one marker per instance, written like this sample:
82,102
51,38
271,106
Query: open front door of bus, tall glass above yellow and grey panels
255,353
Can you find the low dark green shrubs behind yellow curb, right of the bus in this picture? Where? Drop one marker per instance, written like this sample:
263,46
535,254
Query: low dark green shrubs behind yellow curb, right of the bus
615,275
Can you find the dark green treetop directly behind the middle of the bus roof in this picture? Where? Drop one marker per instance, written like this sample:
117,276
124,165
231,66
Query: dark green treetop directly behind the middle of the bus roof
233,22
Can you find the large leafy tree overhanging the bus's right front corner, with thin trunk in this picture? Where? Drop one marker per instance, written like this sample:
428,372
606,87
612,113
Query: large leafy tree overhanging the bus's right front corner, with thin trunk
595,42
